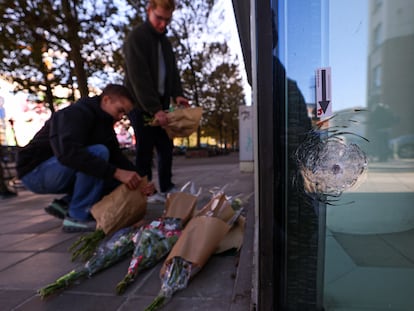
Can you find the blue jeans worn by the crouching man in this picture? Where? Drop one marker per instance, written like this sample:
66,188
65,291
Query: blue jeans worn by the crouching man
82,189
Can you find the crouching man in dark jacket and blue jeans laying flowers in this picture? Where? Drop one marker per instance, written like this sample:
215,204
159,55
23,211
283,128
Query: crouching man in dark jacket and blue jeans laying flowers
77,153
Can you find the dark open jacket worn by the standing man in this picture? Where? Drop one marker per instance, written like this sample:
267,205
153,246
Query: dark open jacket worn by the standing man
141,67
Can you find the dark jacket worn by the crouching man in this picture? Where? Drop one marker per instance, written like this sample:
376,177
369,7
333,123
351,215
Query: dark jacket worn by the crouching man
67,134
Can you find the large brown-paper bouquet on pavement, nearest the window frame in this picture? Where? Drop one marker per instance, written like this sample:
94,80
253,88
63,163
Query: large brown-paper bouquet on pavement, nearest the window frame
201,238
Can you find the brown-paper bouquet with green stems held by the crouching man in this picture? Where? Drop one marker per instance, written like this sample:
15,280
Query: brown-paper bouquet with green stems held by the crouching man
119,209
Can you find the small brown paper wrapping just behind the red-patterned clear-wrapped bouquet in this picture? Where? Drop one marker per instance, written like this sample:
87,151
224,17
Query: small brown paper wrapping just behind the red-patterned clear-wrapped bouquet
180,205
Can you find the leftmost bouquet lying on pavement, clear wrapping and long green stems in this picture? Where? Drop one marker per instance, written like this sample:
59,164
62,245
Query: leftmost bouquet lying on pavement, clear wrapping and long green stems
109,252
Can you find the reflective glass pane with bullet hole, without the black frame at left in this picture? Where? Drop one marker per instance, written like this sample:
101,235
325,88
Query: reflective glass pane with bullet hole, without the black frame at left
368,250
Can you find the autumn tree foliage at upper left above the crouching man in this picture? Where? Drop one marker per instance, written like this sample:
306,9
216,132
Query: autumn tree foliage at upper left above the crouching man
69,43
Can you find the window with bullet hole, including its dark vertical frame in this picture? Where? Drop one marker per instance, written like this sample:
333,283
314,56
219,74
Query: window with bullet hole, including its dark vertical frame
353,249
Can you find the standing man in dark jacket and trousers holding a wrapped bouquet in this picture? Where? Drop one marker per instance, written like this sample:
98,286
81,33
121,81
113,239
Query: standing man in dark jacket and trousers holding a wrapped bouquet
153,80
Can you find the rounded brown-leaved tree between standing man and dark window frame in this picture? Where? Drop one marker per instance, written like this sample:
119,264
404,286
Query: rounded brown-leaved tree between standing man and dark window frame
220,90
